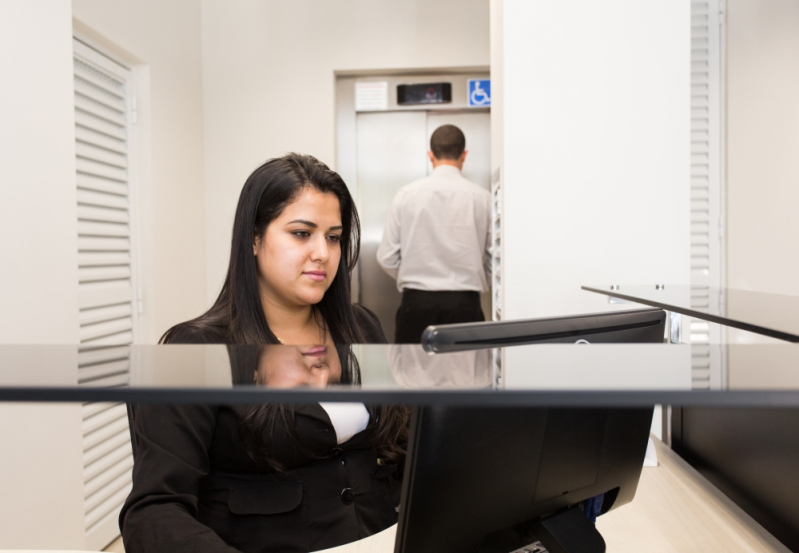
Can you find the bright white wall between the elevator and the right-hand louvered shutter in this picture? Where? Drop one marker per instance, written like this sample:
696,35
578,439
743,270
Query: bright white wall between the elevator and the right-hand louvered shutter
595,125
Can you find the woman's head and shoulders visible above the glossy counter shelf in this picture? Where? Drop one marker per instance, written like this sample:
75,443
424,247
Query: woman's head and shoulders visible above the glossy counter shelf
295,242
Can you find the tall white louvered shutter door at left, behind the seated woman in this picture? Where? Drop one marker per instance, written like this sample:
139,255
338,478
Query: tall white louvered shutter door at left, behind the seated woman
106,281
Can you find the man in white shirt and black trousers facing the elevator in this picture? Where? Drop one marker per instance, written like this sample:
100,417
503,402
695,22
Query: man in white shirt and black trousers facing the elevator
436,242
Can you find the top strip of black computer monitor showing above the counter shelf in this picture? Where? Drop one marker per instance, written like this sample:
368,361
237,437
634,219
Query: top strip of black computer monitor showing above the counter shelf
639,325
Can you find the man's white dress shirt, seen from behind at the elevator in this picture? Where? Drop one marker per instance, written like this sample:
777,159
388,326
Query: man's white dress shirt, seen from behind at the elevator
437,236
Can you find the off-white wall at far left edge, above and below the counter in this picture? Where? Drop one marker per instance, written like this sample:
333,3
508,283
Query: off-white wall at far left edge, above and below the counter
41,502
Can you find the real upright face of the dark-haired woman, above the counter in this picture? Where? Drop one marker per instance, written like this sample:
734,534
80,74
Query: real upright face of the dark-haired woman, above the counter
299,253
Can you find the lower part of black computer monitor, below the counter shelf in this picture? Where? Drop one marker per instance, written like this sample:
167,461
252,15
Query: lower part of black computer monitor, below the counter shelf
494,480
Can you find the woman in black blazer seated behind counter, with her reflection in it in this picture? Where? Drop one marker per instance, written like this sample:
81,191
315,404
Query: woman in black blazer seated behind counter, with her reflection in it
274,477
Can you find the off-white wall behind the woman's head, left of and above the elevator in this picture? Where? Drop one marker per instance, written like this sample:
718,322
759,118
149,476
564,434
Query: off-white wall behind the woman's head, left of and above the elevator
268,80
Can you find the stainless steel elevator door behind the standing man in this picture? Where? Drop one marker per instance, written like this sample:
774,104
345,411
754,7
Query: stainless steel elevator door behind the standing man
392,152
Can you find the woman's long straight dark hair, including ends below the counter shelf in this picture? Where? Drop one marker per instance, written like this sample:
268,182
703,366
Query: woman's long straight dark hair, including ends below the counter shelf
237,316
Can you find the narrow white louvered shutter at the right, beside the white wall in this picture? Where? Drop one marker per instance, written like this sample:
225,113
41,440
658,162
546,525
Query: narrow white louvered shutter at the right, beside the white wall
706,188
